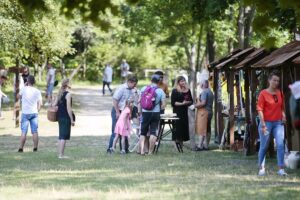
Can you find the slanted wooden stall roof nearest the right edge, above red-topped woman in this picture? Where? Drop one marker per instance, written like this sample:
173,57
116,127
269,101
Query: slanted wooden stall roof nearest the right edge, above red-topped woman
280,56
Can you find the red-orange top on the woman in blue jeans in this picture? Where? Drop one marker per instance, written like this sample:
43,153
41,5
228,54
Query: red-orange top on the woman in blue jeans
270,105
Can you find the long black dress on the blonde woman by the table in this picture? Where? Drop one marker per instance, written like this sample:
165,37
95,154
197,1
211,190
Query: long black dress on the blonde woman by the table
181,125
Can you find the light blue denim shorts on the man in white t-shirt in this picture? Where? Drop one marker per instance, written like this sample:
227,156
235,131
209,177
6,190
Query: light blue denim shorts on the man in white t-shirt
31,119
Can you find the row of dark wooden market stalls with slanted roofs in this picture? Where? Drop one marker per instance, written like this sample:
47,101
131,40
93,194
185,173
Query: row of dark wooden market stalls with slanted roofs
251,63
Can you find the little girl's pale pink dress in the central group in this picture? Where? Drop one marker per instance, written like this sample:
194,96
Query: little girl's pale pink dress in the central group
123,126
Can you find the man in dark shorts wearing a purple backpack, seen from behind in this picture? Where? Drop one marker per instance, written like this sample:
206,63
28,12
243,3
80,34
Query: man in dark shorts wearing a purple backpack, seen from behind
153,99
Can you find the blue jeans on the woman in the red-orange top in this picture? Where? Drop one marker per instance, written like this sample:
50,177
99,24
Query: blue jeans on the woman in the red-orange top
275,128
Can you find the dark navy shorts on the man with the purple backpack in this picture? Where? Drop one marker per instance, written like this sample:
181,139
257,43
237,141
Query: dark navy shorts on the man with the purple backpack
150,120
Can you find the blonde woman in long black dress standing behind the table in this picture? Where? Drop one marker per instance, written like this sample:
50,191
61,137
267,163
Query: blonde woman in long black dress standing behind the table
181,99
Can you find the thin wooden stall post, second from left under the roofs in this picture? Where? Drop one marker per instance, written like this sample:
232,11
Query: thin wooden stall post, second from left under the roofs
231,109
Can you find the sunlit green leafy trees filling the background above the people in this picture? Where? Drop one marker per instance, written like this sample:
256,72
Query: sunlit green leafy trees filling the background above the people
83,35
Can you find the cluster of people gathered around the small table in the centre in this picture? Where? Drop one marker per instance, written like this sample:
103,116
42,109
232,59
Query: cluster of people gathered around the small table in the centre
127,105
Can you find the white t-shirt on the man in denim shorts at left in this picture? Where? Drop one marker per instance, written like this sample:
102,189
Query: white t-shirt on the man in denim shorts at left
30,97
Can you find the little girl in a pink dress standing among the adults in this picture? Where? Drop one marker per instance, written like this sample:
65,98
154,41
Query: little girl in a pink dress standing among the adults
123,126
